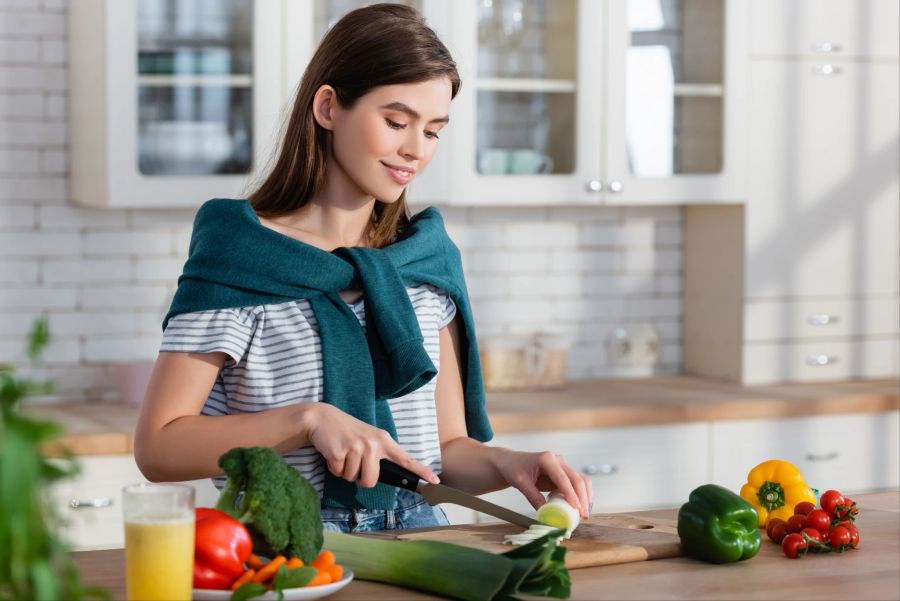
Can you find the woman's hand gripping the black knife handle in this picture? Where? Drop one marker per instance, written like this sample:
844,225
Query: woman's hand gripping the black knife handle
353,448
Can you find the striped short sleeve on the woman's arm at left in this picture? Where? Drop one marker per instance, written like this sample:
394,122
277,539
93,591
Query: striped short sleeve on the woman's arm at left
219,330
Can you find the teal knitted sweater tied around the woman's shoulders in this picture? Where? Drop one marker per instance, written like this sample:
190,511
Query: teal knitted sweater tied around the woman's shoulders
235,261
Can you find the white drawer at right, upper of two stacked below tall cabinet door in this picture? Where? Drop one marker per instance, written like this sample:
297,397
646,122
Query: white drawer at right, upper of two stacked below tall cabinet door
782,320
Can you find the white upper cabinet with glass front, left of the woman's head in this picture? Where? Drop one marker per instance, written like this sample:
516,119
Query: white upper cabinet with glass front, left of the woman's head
171,102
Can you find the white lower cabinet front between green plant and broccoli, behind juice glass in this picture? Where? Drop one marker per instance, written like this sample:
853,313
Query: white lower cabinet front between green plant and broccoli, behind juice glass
89,505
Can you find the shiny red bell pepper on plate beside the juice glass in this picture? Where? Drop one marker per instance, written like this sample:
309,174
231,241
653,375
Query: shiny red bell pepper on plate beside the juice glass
222,544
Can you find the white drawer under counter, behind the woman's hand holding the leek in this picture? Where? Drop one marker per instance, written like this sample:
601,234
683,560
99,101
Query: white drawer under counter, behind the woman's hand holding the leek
632,468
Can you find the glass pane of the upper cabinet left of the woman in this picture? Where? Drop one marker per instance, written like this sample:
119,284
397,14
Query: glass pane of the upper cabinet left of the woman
195,87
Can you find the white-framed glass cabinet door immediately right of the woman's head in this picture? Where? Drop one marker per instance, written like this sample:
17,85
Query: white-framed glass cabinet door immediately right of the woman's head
526,125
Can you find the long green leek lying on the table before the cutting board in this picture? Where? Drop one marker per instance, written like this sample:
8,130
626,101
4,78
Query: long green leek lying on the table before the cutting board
457,571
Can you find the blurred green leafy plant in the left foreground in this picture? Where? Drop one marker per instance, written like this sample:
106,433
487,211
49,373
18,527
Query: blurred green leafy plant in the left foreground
34,562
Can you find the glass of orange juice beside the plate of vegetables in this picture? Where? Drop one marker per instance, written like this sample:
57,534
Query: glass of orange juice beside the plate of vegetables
159,541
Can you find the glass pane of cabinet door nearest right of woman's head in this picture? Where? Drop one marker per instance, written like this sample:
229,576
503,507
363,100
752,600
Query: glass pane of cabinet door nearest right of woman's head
527,61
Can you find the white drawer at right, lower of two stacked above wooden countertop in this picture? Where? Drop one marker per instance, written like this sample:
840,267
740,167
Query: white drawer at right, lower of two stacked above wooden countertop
820,361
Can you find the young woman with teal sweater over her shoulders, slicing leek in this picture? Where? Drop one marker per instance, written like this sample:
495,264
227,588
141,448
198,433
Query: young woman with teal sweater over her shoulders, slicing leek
266,319
